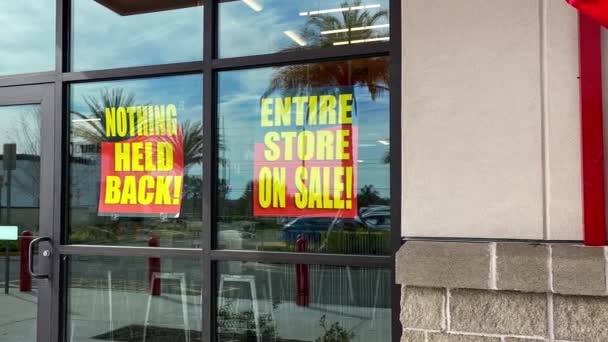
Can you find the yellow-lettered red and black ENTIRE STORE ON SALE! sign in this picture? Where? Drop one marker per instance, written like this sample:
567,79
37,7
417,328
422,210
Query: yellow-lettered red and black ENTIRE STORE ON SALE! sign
305,158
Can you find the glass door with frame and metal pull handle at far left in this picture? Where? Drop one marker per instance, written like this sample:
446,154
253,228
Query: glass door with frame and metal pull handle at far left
26,213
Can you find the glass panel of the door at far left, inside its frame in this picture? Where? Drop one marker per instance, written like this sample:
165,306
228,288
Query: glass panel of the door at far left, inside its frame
19,219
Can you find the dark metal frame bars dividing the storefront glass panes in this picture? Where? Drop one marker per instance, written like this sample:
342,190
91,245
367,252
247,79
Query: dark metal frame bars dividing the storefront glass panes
56,160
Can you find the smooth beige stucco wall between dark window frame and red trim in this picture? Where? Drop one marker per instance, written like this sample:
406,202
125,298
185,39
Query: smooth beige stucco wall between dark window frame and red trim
491,131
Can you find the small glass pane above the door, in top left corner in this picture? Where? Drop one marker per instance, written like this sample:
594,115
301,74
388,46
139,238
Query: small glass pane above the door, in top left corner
27,39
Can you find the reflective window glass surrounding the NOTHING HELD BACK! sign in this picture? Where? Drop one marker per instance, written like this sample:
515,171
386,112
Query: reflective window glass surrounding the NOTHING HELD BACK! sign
88,131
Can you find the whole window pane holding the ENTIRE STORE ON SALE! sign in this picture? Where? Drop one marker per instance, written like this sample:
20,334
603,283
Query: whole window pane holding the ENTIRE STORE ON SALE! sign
304,158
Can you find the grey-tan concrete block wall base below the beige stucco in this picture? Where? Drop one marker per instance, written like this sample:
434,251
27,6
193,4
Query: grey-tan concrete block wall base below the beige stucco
503,292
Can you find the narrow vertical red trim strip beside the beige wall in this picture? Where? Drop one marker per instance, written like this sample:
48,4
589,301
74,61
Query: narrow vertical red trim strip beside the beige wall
592,132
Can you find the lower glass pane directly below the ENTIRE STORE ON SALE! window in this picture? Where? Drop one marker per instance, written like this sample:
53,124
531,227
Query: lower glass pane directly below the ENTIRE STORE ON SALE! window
332,303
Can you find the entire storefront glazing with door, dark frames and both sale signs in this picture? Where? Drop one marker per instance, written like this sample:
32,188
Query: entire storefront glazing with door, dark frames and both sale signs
110,120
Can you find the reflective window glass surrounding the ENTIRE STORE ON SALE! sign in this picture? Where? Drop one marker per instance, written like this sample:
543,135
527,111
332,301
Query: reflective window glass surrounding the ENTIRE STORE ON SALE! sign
368,80
